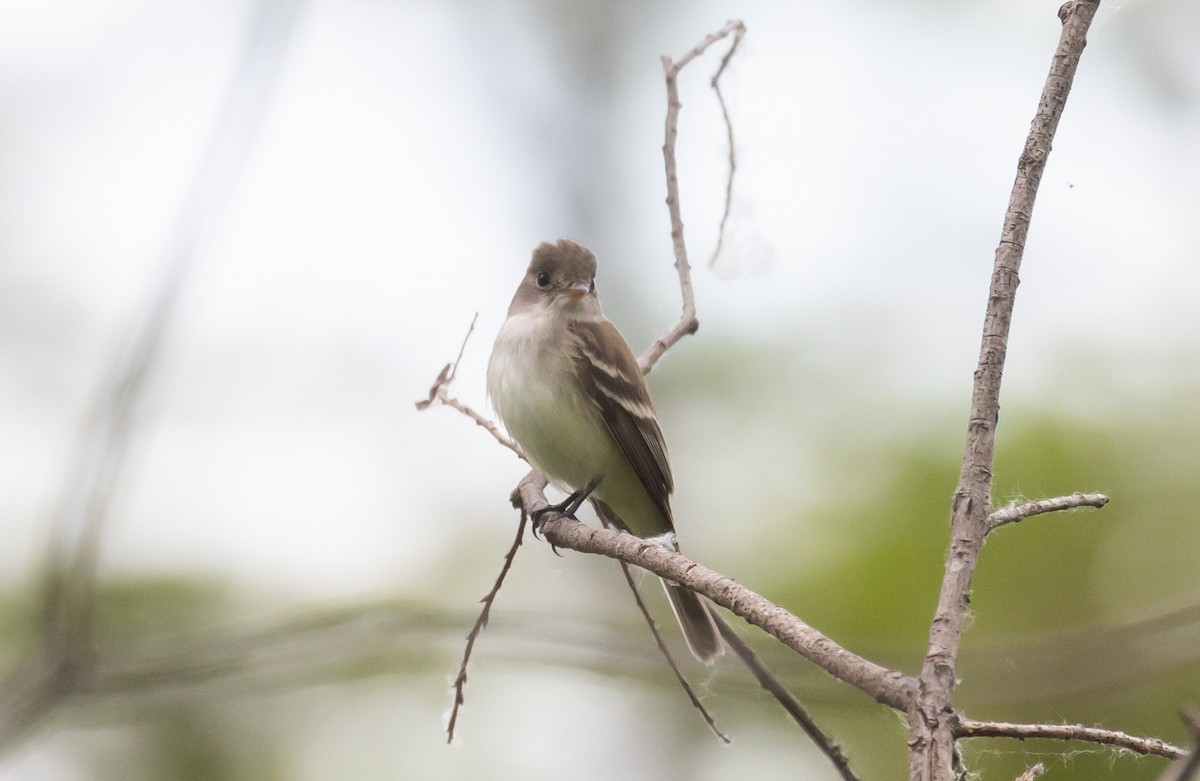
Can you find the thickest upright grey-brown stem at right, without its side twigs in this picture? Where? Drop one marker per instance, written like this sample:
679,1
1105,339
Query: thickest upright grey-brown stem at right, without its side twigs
931,731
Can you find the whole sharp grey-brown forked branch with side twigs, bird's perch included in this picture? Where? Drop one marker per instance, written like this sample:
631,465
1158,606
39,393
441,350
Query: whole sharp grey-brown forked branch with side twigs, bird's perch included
935,726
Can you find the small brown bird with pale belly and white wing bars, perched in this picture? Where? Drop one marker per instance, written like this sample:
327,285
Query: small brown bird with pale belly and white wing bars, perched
567,388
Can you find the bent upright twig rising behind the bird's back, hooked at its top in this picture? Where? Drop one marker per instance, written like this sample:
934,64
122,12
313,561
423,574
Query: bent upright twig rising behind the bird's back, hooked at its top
688,322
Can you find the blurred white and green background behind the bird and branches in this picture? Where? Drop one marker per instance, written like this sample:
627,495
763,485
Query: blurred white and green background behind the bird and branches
239,239
